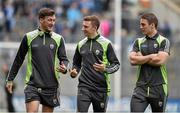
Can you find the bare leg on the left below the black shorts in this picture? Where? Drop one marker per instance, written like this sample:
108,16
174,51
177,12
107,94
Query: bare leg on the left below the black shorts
32,107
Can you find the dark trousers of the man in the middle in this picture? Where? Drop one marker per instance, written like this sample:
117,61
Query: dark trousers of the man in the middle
85,97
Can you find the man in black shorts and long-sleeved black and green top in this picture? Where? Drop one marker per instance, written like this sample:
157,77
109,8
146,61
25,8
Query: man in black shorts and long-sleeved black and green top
44,48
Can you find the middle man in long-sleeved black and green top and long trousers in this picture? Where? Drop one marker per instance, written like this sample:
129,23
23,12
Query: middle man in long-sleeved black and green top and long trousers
95,57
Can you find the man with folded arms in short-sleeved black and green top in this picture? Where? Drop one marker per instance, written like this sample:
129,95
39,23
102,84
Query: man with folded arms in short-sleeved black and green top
150,53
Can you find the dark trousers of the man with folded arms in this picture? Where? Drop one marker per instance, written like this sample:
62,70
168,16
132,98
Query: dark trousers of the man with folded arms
154,96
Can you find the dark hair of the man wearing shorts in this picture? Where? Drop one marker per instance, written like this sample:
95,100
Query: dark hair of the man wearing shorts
43,12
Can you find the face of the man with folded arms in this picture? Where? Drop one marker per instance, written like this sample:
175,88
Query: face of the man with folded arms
145,27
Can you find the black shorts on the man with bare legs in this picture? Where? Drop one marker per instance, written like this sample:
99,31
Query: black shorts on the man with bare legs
48,97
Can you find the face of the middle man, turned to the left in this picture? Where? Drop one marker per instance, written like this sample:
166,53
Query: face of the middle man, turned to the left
88,28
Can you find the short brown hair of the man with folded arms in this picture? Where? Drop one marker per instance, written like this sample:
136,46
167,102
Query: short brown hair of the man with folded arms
151,18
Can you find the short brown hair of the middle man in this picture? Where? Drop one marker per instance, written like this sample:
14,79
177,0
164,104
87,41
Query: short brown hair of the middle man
94,20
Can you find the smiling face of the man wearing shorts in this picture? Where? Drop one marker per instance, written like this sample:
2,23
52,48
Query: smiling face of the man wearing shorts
47,23
